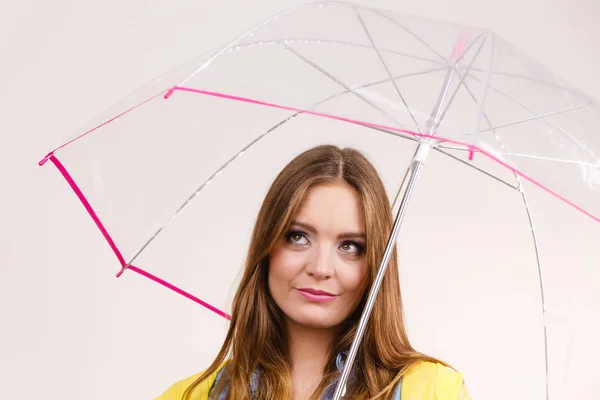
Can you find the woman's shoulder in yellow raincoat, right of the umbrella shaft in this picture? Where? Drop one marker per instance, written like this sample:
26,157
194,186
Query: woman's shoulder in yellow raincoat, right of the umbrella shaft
431,380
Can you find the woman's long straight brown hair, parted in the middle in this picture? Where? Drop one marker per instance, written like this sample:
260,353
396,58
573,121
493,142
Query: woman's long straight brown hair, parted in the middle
257,339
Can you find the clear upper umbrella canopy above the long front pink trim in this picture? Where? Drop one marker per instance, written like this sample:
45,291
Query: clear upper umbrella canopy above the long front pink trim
398,73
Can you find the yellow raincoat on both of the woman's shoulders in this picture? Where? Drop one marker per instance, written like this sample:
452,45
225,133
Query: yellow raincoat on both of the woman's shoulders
426,381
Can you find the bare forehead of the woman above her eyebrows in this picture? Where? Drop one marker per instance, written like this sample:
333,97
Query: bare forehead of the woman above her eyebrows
335,206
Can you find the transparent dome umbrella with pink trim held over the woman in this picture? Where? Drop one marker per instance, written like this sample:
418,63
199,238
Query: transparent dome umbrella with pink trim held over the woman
480,136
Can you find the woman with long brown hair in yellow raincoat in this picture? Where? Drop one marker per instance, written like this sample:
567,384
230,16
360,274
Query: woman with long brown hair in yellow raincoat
316,246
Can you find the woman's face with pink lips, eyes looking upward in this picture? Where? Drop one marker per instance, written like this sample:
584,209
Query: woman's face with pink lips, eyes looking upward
317,270
